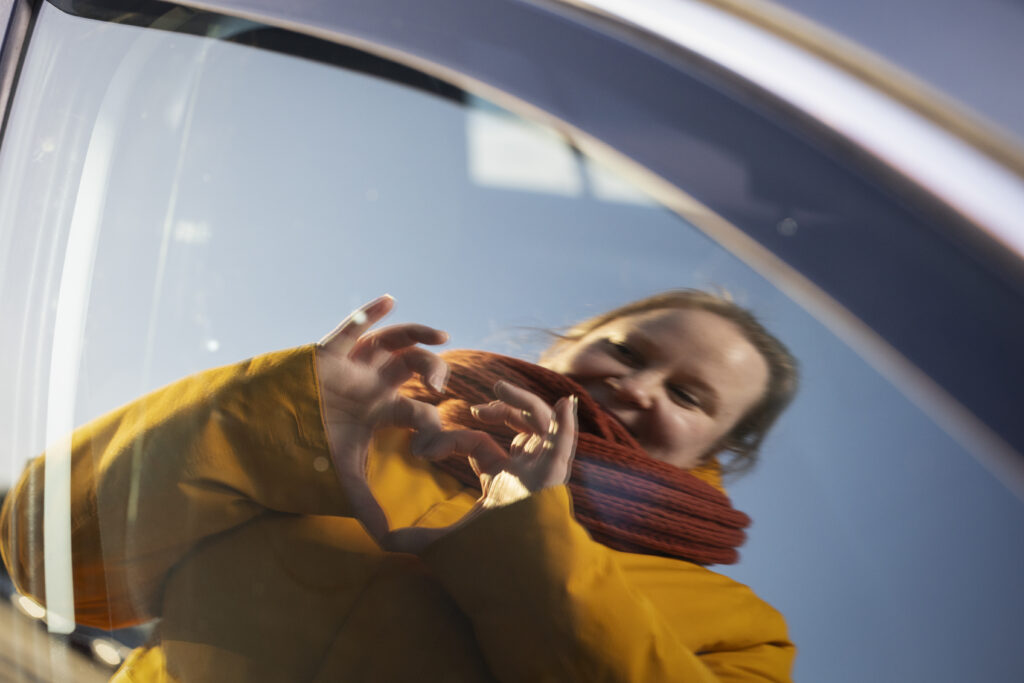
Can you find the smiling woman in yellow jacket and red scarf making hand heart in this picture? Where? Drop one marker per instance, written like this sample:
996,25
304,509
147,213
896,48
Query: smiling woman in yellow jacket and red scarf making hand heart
247,507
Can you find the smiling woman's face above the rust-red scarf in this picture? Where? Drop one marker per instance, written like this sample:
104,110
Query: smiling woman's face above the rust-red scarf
679,379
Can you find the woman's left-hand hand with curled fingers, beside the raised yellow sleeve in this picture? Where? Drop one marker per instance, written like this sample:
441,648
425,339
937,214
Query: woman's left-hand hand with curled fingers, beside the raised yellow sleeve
360,375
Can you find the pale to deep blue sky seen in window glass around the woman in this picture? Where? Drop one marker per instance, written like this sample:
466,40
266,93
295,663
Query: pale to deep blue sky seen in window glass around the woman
179,203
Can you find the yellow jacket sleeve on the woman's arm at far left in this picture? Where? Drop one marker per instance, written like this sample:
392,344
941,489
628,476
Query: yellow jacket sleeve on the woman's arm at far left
156,478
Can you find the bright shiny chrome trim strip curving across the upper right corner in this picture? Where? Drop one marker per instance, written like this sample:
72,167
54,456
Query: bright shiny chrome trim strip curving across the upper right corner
886,129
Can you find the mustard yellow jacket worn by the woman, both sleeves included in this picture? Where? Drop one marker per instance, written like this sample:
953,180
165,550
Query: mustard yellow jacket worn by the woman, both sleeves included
212,504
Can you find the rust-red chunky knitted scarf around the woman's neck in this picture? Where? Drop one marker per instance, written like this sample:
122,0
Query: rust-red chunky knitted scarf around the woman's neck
627,500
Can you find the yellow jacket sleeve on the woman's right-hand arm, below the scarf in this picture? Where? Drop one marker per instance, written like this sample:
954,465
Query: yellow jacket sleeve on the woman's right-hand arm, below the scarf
548,604
